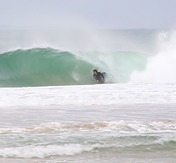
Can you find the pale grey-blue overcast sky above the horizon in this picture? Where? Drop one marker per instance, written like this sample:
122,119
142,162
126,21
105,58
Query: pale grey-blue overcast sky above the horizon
116,14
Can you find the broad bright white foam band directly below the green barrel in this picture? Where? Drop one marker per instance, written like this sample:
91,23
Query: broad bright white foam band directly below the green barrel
111,94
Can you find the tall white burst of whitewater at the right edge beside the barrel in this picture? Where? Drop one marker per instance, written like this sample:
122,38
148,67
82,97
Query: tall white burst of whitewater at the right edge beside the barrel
161,67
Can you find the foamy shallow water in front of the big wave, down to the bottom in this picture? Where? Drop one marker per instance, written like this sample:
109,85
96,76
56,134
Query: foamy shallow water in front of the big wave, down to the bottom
98,123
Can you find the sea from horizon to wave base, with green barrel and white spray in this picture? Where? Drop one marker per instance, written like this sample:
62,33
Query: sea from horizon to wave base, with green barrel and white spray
125,56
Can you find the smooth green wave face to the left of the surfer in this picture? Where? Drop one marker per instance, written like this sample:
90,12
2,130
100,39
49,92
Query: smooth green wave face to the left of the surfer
42,66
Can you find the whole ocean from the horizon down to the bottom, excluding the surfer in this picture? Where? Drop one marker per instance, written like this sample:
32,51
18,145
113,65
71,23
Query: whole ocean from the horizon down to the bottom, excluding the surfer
53,111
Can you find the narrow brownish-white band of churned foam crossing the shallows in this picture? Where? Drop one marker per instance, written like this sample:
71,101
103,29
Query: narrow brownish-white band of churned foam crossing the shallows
121,126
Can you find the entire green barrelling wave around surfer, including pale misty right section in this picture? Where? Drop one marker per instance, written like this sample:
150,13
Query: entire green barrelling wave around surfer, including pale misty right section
48,67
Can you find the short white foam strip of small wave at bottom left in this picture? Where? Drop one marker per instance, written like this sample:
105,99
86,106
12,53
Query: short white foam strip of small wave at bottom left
43,151
